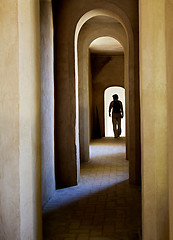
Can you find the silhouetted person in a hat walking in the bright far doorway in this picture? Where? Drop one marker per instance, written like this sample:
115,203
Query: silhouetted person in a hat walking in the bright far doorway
117,113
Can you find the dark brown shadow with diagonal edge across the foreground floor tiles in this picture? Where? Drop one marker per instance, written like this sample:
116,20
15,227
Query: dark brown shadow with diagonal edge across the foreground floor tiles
114,213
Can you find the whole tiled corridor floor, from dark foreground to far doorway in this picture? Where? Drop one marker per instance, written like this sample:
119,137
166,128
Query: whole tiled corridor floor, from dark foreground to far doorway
103,206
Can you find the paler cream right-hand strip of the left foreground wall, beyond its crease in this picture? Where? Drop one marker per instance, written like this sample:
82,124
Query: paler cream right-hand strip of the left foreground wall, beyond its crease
29,122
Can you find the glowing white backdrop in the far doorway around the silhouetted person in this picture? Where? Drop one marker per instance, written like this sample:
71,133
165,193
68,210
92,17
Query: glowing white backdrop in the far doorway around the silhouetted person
108,120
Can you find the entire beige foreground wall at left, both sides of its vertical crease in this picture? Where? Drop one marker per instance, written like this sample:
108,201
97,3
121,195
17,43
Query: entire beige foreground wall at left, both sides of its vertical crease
20,192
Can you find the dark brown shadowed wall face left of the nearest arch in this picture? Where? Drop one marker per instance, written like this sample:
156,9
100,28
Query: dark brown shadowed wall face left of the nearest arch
65,148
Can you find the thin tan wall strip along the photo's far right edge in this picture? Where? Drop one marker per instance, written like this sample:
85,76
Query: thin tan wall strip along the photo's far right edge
169,74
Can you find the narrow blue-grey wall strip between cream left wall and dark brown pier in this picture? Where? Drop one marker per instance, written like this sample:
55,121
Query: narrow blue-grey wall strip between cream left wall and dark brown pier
47,101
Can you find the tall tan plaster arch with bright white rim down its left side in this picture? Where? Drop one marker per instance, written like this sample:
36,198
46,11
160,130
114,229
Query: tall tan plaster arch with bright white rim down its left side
83,79
